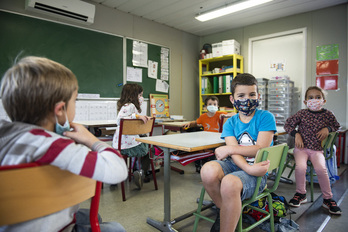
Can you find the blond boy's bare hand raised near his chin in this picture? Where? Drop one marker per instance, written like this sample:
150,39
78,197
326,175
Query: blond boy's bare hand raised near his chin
81,135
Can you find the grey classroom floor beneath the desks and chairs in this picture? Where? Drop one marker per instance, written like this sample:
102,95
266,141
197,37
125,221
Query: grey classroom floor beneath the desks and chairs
185,189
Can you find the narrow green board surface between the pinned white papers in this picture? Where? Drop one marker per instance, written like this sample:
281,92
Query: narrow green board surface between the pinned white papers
154,54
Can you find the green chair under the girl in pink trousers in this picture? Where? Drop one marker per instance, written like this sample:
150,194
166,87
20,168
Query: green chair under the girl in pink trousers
328,148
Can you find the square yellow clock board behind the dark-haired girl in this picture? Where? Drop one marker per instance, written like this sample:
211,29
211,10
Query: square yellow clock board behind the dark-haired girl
159,105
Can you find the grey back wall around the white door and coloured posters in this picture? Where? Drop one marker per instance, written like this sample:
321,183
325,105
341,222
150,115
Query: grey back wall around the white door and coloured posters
325,26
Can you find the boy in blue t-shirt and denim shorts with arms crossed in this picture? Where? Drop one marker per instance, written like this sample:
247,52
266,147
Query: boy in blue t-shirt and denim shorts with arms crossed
232,177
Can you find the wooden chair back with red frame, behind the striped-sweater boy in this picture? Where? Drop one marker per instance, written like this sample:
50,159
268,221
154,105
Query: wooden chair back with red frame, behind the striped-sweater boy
29,191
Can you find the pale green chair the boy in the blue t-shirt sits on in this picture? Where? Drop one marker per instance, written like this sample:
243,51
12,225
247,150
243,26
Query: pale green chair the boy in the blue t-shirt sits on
276,155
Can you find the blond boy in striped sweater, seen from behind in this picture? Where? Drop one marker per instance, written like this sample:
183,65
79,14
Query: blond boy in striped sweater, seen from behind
39,96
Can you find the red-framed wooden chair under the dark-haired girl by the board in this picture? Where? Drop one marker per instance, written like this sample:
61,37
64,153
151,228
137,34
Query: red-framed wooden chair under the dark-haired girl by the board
136,127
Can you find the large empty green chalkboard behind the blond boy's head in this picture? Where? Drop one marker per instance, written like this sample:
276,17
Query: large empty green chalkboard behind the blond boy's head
95,58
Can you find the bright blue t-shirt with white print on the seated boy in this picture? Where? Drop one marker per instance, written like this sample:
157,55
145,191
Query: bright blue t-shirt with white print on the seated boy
246,133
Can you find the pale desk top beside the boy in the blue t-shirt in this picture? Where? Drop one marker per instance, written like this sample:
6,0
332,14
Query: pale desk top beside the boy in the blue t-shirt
190,142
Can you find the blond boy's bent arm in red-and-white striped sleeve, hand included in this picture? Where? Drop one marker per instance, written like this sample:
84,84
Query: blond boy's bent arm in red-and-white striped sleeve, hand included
89,157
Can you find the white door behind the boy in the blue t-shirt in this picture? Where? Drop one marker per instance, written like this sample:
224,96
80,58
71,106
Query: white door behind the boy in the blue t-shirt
281,54
